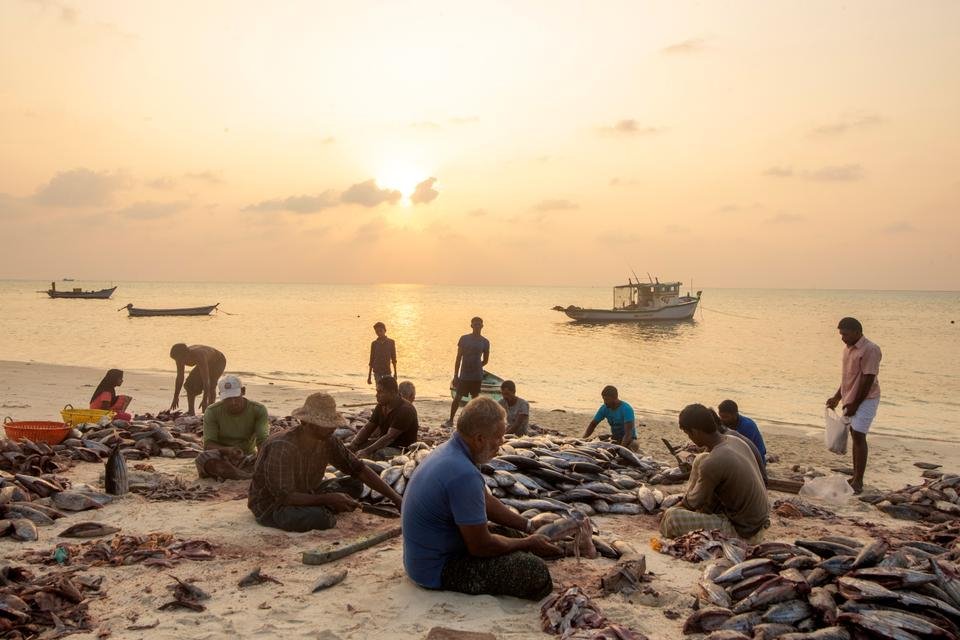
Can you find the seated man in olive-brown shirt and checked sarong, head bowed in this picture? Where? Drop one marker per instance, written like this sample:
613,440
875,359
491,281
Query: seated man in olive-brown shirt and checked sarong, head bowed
725,490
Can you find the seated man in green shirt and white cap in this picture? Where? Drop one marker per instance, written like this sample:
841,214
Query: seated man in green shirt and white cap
233,428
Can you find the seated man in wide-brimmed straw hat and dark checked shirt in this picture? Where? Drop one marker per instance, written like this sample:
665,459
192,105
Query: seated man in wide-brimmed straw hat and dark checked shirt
286,492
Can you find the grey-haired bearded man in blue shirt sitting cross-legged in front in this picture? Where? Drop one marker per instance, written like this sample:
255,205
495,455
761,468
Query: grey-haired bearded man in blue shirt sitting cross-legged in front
446,540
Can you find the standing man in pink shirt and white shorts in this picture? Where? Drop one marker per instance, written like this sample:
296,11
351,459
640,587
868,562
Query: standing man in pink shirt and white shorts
859,391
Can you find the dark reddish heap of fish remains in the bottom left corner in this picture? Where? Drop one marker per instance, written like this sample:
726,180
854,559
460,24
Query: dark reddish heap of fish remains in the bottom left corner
50,606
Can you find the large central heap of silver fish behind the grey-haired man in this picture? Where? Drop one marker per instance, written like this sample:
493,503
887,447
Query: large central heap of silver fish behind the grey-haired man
546,473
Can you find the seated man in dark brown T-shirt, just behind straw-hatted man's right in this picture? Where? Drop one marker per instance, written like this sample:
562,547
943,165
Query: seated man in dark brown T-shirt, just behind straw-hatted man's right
393,425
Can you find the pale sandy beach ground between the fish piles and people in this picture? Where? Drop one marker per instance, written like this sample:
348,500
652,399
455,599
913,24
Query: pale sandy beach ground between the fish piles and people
376,599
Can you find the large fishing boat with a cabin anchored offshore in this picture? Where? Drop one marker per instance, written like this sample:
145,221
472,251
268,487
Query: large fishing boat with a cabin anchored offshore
641,302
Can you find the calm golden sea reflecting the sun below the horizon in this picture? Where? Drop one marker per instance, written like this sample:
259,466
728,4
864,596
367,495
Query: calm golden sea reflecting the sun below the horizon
776,352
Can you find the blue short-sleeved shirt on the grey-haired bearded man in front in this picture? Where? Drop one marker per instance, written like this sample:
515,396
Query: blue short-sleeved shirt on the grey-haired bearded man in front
445,491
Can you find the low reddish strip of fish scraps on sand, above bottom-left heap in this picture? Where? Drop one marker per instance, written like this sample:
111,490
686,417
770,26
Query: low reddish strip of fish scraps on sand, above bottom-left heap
155,549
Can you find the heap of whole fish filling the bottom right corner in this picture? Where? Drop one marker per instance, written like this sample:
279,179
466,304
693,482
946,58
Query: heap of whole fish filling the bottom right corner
833,588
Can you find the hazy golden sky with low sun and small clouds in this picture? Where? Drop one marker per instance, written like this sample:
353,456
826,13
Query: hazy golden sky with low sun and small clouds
779,144
